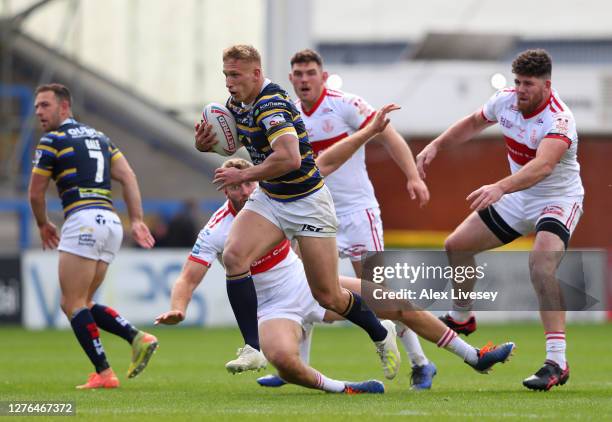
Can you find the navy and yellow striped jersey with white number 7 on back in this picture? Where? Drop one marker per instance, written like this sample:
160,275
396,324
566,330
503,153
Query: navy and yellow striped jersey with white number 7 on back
78,158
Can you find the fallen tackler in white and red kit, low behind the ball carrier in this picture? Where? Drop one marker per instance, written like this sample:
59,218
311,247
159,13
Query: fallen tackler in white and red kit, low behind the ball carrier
287,309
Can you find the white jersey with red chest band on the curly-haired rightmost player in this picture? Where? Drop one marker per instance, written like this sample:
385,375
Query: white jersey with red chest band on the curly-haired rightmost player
523,135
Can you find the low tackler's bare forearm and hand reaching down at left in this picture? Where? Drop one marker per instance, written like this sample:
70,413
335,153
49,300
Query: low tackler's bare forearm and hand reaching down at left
182,291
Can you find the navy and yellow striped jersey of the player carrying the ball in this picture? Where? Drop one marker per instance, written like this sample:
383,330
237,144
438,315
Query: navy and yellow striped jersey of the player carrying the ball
273,114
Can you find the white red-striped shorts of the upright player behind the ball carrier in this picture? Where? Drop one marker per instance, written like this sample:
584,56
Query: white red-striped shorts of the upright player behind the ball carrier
360,232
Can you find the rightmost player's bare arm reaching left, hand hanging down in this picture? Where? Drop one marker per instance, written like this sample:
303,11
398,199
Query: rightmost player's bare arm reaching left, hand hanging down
461,131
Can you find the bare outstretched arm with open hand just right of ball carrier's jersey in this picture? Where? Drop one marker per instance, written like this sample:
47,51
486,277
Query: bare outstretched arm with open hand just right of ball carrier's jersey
336,155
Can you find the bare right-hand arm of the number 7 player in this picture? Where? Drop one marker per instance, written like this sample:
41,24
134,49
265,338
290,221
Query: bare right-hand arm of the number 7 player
123,173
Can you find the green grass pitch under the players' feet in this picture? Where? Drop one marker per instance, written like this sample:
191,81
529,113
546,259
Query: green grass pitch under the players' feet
186,379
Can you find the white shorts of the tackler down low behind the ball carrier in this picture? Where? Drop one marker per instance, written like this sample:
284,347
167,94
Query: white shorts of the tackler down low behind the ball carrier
287,296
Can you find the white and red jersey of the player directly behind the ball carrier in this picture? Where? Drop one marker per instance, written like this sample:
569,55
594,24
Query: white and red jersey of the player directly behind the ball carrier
335,116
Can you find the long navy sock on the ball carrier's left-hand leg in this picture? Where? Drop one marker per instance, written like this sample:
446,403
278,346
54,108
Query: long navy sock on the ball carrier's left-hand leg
243,298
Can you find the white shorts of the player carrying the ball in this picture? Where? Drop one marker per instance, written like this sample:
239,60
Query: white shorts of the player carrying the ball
313,215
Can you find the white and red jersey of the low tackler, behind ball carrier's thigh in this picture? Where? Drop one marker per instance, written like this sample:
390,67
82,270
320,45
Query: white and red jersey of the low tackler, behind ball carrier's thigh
211,241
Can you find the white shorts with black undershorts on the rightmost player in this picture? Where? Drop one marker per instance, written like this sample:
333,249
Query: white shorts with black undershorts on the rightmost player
522,214
